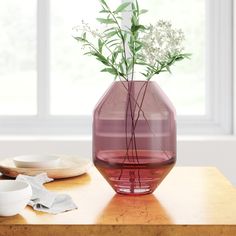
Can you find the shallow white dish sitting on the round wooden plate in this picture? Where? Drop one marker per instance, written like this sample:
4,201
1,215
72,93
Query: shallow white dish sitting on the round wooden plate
36,161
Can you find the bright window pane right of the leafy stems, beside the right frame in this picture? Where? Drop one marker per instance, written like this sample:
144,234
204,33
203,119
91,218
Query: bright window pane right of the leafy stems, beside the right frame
186,86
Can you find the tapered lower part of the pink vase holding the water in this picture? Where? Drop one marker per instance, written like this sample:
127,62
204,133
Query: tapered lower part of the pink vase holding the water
134,174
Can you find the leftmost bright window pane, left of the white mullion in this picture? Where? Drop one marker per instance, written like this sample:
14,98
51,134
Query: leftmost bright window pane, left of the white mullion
17,57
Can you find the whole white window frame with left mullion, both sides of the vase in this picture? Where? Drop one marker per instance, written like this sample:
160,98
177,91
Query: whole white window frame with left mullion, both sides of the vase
219,82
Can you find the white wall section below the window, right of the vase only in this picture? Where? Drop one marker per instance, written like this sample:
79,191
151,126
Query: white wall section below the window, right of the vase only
209,151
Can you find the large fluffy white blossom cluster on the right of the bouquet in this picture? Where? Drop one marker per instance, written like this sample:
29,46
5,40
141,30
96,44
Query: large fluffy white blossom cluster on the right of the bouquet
160,41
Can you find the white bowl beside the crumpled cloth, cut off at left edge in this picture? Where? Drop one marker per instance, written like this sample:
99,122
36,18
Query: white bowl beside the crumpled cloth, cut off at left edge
14,196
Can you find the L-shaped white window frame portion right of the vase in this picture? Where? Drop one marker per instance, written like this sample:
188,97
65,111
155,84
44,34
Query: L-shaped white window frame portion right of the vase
219,73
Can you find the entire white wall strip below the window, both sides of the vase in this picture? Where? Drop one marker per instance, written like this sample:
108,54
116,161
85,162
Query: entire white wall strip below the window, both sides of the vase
192,151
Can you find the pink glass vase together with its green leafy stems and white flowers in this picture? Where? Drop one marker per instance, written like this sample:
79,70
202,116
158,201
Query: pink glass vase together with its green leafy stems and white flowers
141,149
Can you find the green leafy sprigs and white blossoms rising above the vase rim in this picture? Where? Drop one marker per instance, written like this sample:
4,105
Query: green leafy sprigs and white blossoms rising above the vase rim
152,49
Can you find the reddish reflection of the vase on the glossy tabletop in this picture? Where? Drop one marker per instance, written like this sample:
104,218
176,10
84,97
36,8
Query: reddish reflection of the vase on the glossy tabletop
134,210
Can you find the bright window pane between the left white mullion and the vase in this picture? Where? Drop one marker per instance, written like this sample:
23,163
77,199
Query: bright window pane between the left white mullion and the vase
76,81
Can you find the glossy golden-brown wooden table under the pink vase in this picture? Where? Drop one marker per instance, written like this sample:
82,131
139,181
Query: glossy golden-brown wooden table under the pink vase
190,201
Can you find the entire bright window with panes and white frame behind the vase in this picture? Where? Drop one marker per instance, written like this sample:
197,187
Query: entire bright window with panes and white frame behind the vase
48,87
